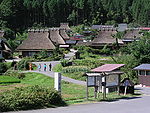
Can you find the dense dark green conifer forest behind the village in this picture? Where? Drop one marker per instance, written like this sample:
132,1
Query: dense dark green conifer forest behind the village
19,15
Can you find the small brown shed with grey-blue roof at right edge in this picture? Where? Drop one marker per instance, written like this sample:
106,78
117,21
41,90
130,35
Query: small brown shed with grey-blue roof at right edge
143,74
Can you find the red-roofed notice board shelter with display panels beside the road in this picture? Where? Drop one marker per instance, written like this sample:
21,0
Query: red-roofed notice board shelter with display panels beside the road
104,78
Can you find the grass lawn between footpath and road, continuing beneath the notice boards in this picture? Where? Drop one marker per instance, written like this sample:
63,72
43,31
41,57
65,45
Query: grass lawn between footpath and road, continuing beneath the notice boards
71,93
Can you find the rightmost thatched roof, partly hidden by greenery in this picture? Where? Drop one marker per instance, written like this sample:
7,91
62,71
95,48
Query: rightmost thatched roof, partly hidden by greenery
132,34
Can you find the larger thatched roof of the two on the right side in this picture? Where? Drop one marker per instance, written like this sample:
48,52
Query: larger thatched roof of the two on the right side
105,37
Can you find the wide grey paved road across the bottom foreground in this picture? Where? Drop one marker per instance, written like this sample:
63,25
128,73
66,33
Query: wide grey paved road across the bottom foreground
131,105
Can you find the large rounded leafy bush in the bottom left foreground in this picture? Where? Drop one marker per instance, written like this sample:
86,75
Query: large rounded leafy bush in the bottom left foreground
33,97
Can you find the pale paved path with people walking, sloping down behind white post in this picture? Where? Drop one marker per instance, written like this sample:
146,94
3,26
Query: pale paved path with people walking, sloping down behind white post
51,73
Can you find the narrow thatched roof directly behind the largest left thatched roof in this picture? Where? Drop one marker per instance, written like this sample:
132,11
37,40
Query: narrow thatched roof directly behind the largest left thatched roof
55,36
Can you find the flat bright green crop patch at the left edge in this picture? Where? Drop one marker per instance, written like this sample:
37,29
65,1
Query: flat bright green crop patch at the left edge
8,79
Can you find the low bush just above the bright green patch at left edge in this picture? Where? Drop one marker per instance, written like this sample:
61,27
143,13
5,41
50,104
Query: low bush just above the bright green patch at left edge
14,74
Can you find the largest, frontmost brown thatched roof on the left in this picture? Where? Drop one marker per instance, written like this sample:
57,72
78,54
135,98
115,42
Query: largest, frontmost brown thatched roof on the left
37,40
